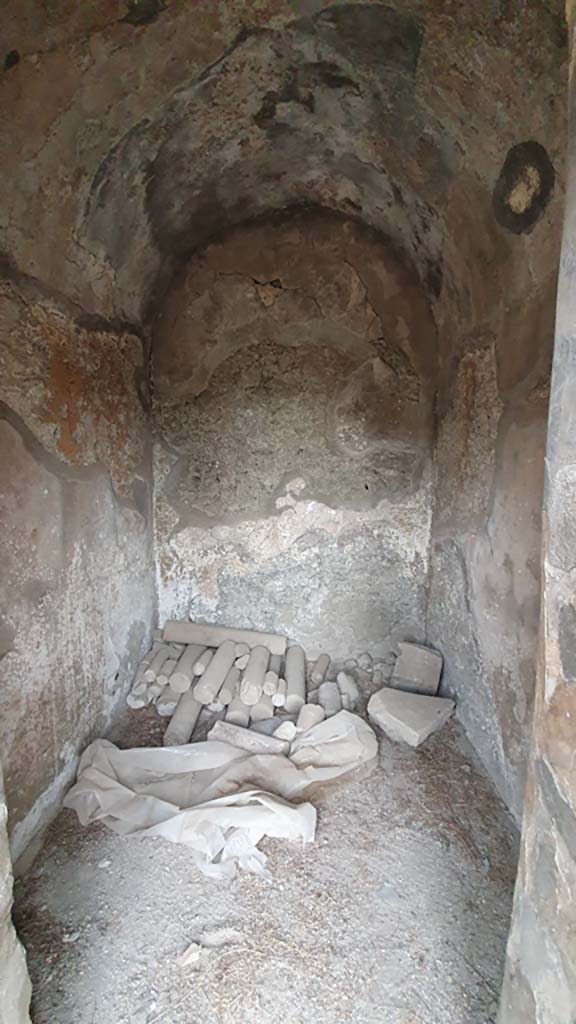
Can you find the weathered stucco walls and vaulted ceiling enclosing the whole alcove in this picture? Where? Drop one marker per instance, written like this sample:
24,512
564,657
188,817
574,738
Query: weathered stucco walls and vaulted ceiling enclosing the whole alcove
136,141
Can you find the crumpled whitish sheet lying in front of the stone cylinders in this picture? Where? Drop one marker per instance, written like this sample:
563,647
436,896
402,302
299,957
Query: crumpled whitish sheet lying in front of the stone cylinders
217,799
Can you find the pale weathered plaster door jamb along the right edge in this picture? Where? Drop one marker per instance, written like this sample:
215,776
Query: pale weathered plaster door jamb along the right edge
541,977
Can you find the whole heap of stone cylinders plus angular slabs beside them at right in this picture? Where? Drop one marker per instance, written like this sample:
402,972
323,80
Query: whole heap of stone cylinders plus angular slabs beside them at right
253,690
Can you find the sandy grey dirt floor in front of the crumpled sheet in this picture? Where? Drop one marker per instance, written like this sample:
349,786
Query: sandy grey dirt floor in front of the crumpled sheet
397,915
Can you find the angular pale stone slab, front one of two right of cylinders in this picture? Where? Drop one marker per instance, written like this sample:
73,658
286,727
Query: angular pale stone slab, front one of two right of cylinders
408,717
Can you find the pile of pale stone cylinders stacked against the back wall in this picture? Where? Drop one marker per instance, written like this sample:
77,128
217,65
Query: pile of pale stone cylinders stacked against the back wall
243,677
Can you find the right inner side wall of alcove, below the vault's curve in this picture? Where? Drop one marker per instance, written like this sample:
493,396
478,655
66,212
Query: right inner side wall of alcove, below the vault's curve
485,591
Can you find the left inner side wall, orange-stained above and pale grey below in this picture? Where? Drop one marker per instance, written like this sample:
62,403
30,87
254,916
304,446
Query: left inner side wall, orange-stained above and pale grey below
77,588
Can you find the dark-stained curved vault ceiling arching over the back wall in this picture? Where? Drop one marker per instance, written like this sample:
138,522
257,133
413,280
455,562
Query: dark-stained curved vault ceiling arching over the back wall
347,110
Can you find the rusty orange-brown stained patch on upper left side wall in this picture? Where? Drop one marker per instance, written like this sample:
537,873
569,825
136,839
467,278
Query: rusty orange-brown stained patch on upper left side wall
77,389
